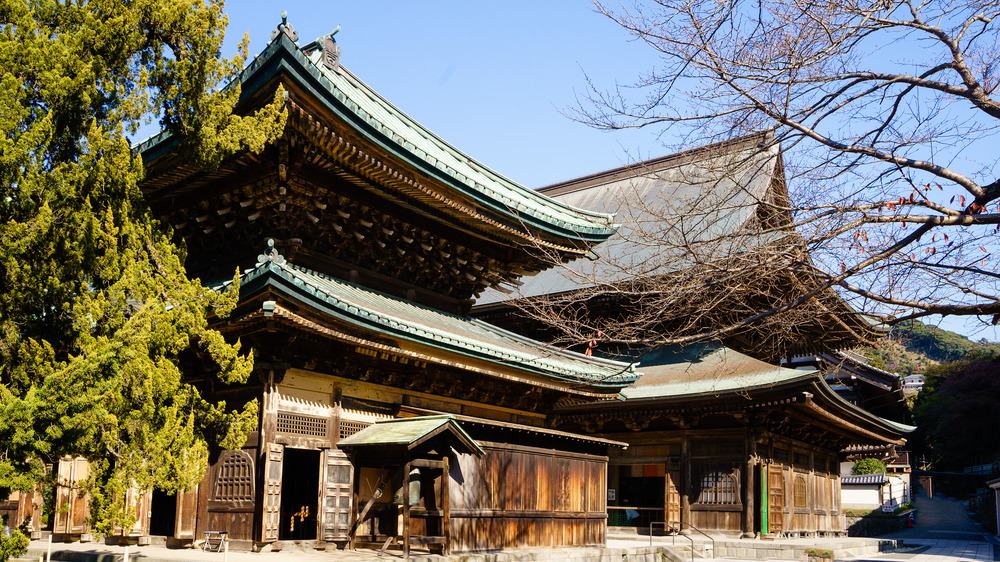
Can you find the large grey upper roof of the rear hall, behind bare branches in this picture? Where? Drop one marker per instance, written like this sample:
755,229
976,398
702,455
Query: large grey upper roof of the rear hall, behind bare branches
669,210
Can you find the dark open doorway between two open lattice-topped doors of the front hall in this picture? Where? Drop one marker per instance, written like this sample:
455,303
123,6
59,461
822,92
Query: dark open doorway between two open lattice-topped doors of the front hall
299,495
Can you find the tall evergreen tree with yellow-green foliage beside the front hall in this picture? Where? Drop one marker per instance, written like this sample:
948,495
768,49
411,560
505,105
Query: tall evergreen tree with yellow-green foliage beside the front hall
97,307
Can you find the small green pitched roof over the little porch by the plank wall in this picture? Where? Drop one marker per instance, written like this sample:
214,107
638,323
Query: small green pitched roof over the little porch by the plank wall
403,436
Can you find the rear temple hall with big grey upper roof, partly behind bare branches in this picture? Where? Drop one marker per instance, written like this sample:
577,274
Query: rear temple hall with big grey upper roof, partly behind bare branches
721,438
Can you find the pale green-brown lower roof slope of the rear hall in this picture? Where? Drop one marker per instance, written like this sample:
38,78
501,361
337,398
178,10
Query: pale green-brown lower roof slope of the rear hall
704,370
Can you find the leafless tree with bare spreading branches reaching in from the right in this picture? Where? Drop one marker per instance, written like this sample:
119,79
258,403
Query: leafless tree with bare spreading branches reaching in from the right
887,122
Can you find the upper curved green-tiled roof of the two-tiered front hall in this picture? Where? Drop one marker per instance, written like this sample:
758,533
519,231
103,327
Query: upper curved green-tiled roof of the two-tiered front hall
382,124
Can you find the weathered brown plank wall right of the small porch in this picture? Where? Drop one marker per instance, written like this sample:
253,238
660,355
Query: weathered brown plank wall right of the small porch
521,497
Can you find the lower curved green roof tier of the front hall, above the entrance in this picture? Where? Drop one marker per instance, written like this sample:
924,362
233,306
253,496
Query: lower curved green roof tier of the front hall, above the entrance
410,323
